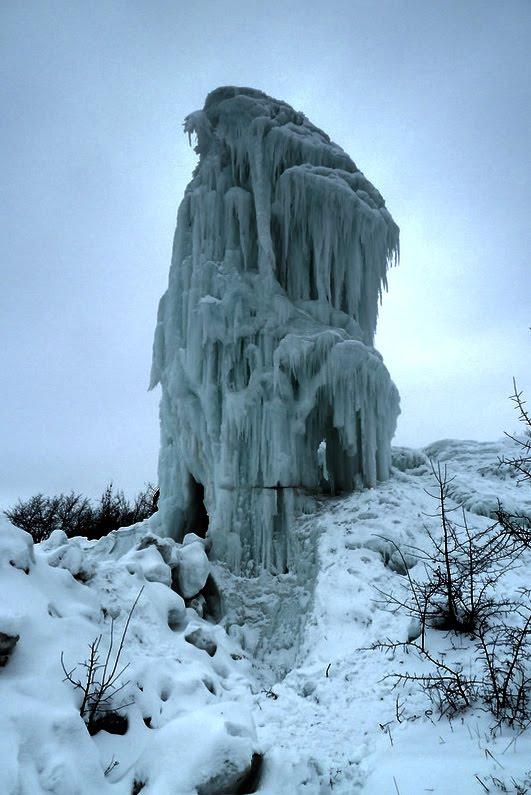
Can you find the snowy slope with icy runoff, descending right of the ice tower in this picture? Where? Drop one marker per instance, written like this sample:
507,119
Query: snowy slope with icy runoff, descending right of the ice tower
330,723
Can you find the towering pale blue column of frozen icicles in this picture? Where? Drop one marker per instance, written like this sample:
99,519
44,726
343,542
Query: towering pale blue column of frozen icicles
271,387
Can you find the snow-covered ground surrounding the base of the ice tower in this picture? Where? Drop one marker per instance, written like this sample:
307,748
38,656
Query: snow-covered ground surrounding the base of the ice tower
291,677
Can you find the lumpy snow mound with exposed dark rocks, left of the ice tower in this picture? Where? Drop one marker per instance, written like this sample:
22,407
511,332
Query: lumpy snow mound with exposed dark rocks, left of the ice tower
184,721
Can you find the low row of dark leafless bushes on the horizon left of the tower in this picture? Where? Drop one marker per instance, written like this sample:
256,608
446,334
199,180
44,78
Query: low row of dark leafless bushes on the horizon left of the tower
75,515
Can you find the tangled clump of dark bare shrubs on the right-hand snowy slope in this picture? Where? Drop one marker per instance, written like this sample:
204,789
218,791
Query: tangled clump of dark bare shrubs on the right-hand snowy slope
457,593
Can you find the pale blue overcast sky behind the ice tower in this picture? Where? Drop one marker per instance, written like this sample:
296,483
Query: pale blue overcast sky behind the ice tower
431,99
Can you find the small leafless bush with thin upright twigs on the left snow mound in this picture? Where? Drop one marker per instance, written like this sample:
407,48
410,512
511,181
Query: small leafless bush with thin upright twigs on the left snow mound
100,683
